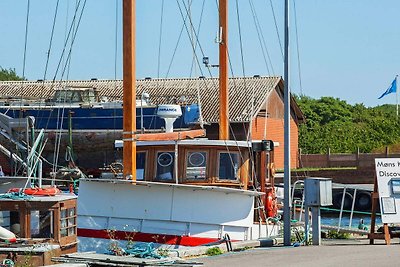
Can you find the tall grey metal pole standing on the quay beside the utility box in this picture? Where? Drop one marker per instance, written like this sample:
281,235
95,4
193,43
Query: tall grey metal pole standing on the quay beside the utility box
286,182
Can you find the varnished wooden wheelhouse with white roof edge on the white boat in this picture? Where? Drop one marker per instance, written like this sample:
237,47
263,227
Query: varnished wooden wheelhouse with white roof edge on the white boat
203,162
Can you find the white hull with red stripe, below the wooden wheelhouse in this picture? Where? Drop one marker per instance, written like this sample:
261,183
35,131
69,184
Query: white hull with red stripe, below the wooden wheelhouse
179,215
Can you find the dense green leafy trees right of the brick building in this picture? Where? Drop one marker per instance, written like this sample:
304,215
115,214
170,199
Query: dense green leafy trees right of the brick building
333,123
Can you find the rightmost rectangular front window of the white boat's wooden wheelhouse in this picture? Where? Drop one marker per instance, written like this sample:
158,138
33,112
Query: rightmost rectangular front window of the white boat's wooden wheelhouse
228,167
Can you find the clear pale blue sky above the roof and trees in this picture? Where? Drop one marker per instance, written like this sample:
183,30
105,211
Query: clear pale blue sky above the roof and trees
348,49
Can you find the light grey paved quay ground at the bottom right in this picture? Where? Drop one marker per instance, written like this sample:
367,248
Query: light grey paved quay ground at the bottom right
331,253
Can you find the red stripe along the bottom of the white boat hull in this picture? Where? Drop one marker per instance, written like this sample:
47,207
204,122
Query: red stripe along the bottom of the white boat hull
146,237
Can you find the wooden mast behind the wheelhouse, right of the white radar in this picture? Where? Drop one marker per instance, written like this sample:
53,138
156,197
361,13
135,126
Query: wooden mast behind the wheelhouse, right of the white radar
223,71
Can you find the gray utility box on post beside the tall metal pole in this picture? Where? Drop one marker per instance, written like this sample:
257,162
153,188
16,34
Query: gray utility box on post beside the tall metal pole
318,191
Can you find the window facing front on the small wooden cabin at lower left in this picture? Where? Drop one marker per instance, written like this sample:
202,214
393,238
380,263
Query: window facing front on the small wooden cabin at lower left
41,224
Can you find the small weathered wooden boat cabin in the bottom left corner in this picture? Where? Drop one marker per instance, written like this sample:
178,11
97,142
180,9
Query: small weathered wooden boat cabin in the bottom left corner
48,222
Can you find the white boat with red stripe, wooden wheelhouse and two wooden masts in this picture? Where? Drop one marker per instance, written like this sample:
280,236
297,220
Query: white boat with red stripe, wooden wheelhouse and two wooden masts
174,191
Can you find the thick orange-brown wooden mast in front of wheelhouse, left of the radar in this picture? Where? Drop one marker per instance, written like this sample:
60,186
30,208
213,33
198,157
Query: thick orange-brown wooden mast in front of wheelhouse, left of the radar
129,89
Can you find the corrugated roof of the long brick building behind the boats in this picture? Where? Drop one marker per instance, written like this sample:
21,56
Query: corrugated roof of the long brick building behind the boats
163,91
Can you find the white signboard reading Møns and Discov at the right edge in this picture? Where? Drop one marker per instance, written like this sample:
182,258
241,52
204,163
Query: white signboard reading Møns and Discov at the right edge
388,177
